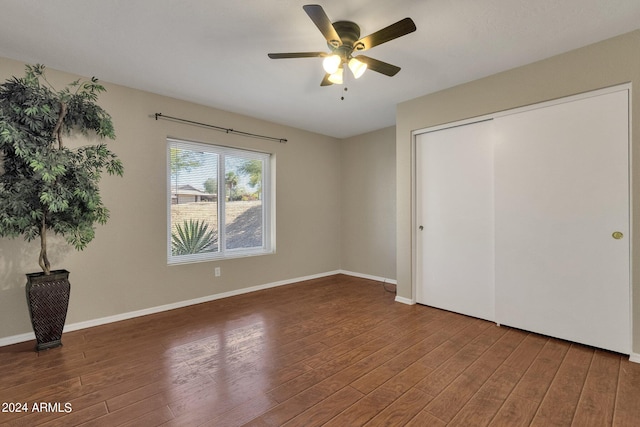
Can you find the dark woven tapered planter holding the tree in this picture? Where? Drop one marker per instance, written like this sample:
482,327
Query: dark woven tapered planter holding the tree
48,299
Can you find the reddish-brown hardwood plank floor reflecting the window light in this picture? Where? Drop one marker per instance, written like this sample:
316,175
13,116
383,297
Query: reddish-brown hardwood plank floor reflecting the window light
336,351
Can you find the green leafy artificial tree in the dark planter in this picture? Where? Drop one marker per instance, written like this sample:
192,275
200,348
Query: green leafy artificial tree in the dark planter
45,186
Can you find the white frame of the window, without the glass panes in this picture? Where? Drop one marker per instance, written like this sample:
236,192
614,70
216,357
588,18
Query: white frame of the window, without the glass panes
268,203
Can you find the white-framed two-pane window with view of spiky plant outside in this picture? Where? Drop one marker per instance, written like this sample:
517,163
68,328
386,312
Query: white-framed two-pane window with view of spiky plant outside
218,201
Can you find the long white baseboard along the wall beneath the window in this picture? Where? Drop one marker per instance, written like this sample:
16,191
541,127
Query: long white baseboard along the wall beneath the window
14,339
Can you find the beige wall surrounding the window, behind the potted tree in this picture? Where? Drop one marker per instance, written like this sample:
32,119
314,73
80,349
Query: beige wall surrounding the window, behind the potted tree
124,269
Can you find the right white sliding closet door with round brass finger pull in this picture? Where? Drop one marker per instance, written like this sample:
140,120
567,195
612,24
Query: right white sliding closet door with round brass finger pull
562,221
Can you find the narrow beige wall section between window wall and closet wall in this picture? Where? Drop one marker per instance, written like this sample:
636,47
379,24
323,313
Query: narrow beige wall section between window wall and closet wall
368,204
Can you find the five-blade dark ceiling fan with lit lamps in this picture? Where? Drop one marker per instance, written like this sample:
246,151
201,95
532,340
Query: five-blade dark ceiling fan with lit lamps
343,39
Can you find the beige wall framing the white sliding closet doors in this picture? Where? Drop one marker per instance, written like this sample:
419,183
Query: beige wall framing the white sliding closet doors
600,65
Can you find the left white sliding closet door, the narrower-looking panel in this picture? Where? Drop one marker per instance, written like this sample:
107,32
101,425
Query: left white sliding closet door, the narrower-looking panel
454,197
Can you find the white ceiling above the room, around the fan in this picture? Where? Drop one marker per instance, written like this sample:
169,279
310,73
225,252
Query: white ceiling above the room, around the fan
215,52
